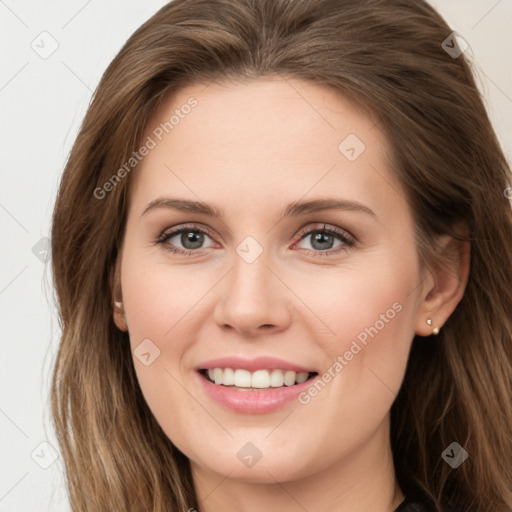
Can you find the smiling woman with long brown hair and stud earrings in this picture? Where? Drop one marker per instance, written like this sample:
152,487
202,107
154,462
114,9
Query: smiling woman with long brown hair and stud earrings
282,252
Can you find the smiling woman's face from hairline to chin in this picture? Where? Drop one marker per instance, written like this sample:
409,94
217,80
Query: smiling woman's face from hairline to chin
315,288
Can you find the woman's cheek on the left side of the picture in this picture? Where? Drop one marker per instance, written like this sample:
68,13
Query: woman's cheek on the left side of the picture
162,305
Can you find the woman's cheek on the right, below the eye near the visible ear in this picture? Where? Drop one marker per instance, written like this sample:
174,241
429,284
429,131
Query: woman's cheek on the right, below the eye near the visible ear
370,314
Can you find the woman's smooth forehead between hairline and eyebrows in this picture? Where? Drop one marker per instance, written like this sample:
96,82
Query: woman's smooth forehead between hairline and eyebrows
262,137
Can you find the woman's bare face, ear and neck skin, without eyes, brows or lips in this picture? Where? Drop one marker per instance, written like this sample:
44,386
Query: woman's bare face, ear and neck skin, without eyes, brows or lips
250,148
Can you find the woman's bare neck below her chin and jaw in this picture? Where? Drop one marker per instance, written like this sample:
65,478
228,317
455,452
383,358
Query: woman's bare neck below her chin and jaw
362,480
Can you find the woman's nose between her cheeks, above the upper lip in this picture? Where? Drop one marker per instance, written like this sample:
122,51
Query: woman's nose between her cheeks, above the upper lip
253,301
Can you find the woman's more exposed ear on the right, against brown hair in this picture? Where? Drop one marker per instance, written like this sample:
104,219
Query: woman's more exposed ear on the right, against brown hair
444,285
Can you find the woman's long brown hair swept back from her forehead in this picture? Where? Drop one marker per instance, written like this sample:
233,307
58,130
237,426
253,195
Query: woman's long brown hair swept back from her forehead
387,56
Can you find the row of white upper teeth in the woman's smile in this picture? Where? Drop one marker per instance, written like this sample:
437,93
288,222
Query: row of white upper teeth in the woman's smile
260,379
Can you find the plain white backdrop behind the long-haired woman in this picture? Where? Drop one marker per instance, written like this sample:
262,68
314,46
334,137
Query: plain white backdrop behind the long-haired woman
42,104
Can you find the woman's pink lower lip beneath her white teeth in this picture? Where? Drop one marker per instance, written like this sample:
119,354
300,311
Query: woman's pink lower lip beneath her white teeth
253,402
